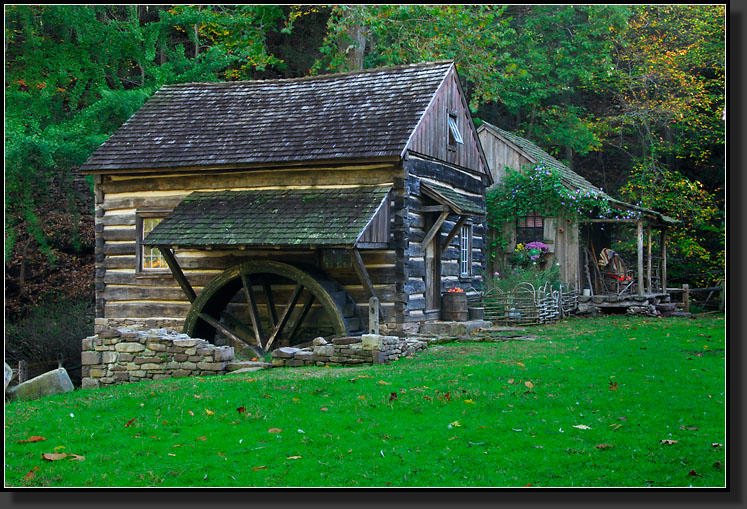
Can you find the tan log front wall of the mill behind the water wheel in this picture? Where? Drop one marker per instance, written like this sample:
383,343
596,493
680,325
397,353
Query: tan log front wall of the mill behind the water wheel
123,294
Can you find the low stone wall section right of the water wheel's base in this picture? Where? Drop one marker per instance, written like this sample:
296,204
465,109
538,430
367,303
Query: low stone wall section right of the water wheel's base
350,351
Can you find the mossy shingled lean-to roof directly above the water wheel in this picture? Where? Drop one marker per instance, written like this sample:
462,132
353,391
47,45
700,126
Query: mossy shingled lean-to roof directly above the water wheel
284,217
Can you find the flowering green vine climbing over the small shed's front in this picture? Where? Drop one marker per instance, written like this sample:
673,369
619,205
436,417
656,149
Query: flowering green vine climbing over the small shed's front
538,189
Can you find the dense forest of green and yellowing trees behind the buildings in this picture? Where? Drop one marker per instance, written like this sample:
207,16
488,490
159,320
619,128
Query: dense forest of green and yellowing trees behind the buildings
630,97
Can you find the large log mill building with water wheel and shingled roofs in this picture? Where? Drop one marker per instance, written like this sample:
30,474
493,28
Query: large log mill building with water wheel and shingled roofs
270,212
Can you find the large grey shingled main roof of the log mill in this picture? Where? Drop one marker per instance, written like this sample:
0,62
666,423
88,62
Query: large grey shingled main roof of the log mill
364,114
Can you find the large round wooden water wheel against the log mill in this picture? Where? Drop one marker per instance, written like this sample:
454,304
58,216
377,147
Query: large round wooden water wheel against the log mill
266,304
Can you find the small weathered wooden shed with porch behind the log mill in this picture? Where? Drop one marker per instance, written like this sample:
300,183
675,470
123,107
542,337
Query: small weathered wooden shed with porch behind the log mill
581,248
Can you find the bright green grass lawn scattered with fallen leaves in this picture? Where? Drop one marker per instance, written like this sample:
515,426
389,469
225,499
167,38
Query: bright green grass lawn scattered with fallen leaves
463,416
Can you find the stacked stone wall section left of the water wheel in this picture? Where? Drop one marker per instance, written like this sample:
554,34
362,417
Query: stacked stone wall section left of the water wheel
116,356
